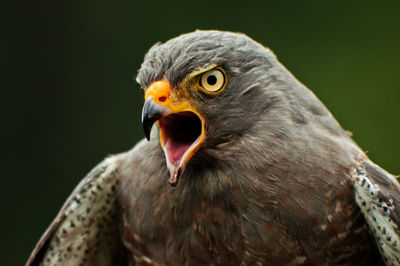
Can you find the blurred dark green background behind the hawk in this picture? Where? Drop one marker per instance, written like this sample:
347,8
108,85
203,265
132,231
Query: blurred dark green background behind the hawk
70,98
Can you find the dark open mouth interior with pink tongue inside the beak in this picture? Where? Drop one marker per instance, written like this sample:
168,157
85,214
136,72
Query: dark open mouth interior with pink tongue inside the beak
180,134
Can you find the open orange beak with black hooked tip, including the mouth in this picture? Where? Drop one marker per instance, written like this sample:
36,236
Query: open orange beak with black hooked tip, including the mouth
181,126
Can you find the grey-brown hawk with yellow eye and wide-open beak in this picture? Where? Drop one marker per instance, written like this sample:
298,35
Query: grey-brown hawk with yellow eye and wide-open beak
242,165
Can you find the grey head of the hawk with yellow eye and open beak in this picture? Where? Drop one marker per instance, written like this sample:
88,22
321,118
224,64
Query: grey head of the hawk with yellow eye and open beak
209,88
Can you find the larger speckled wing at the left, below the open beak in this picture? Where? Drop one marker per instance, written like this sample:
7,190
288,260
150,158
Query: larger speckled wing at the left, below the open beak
85,231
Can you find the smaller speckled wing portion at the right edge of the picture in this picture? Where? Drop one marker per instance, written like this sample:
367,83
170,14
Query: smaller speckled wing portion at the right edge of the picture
377,193
